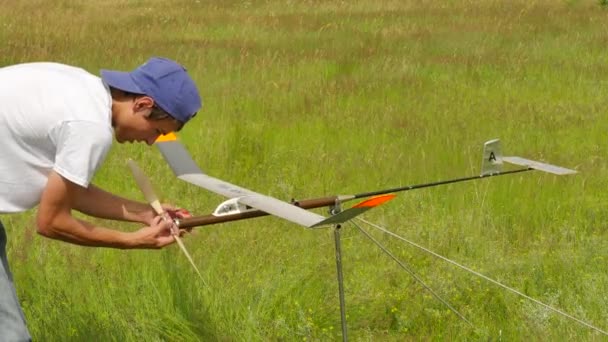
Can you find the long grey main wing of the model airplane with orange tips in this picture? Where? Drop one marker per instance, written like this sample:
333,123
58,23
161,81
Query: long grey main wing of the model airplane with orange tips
186,169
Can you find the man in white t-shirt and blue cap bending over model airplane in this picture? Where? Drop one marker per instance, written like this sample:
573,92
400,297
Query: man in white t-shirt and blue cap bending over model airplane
56,126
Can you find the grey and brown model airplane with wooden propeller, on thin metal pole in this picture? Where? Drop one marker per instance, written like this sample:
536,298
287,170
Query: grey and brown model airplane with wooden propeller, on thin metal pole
243,203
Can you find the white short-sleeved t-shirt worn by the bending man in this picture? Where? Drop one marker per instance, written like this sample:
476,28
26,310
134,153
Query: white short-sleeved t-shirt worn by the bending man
52,117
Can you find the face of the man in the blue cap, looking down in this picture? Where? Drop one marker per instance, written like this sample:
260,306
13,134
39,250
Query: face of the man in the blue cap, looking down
132,122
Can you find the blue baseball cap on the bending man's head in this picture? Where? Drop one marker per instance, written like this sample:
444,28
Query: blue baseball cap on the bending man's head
164,80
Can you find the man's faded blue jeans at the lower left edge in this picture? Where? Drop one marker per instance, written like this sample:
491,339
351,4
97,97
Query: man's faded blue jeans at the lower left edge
12,320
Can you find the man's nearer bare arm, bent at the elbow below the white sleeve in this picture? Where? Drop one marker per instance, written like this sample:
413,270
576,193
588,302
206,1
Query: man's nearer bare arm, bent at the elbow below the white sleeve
55,221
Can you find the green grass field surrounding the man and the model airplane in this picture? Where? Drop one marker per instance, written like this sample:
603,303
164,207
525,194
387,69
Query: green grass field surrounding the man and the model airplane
311,98
